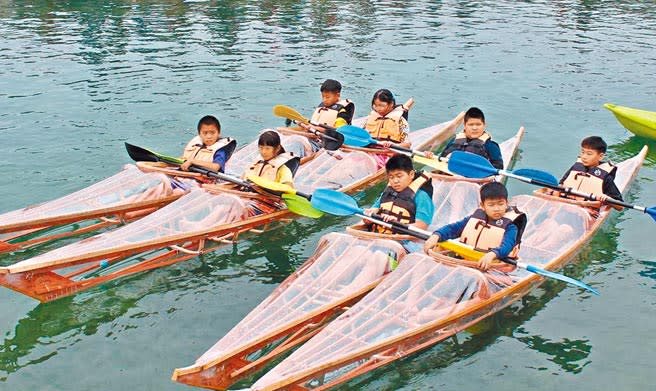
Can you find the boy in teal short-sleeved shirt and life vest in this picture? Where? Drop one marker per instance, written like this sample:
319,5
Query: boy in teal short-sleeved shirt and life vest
407,197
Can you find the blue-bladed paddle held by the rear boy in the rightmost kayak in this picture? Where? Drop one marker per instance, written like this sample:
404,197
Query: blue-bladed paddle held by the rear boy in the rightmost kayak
475,166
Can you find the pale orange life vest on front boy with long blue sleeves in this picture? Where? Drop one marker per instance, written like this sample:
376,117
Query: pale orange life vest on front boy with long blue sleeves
484,235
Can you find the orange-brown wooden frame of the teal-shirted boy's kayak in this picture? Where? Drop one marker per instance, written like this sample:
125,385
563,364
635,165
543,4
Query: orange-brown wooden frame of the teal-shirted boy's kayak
234,365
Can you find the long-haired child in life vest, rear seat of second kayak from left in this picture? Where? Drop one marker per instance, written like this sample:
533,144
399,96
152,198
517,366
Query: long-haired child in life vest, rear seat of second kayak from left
388,122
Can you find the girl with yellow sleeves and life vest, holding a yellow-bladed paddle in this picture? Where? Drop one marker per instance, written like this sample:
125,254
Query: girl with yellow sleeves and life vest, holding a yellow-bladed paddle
275,164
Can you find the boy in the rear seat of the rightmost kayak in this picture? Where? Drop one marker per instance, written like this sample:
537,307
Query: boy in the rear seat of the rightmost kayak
590,174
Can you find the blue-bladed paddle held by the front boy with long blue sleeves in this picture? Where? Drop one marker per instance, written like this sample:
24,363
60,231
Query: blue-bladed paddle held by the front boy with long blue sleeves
340,204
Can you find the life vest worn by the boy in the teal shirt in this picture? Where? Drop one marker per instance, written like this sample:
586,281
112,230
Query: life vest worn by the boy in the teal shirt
402,205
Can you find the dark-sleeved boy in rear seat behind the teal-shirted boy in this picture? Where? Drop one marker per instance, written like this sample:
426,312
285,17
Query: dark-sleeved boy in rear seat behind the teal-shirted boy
475,139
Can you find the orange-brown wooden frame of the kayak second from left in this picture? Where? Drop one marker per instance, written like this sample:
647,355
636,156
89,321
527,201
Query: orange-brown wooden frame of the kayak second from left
45,285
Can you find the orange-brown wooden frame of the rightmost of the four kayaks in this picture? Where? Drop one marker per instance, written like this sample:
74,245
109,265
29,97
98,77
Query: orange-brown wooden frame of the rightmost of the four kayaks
398,347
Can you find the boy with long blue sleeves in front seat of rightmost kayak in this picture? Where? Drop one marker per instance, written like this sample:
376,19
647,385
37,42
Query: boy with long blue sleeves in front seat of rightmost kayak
496,228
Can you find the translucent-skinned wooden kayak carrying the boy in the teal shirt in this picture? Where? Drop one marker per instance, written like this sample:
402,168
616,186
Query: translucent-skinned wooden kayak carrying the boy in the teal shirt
231,358
